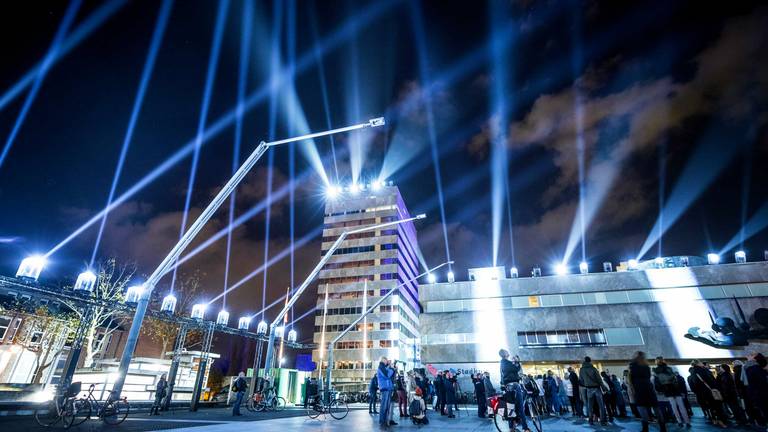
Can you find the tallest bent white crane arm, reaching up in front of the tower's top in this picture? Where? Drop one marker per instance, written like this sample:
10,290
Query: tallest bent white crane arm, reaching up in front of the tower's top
194,229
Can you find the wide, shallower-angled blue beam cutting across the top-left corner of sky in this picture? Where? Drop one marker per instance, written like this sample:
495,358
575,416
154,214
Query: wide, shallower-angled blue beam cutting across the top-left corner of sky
88,26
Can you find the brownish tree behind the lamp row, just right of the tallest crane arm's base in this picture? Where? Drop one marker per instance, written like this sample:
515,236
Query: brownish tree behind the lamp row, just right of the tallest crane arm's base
164,332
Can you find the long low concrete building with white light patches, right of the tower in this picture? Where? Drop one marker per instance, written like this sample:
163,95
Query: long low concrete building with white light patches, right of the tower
554,321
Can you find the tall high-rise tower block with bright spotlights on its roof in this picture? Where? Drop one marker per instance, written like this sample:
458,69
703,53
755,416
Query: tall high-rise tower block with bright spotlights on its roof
365,267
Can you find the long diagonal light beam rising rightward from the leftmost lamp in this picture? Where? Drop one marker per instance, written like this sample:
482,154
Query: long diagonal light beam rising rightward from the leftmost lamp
331,42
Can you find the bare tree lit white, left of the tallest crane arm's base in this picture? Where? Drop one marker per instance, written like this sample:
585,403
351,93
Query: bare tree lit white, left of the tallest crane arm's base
110,286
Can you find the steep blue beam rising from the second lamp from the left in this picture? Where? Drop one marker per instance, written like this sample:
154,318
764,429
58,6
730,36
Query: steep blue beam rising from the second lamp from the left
149,65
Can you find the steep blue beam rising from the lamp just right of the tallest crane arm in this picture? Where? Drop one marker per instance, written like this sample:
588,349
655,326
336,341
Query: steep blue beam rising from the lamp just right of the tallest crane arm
213,62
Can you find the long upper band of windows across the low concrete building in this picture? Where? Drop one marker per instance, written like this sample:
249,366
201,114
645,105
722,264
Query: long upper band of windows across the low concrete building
607,297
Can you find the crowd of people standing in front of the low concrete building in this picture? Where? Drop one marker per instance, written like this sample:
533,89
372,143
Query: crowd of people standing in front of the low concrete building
650,390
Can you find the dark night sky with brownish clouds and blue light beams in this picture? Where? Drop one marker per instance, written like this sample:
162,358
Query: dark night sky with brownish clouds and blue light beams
669,101
